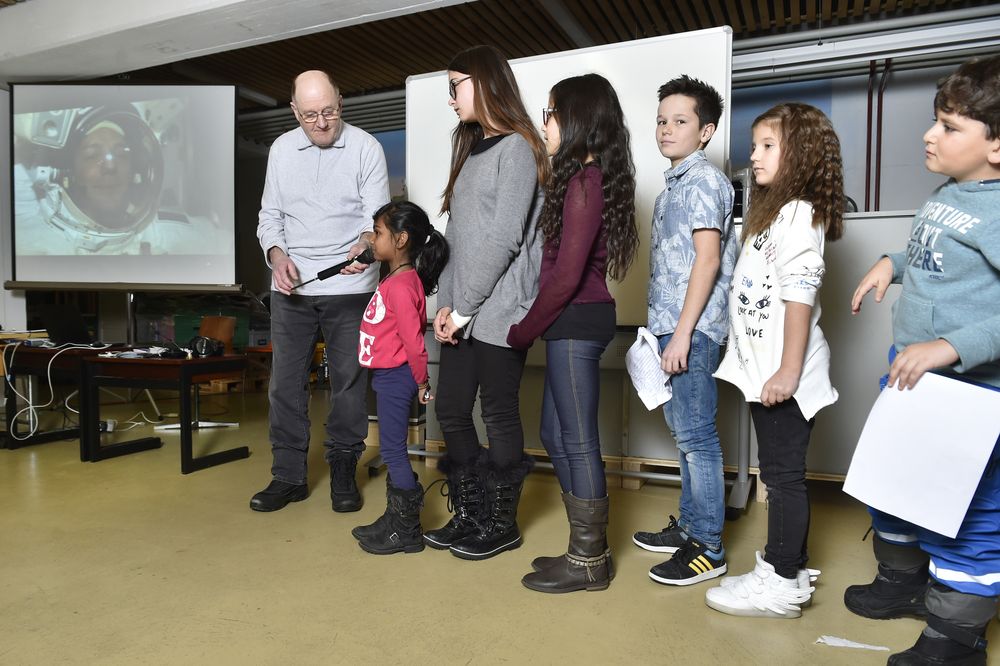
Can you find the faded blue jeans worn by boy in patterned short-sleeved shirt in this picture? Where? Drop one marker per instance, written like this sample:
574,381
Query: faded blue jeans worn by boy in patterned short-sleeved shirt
690,415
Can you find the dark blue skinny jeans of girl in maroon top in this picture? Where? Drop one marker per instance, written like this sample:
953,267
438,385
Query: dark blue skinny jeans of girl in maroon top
569,415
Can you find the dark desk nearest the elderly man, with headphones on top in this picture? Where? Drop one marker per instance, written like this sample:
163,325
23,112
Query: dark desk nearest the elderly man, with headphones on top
151,373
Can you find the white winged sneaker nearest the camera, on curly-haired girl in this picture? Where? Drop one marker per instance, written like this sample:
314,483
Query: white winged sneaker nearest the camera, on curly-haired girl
761,593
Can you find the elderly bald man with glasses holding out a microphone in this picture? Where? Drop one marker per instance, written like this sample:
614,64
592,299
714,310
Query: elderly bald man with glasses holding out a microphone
325,179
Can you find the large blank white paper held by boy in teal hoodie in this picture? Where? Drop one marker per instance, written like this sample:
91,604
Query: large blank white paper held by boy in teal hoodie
923,451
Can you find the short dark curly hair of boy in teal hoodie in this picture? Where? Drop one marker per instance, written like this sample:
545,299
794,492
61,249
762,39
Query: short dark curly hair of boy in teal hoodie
973,91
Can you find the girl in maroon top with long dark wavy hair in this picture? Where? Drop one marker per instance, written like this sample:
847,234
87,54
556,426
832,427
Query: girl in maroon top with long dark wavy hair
590,233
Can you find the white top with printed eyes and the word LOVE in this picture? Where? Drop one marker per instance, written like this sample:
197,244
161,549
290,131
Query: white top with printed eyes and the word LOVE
787,255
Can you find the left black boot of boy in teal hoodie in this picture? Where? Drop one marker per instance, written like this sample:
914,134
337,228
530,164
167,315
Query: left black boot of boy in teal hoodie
899,587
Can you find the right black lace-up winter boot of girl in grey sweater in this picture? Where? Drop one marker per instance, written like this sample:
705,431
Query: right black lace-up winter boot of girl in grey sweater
497,530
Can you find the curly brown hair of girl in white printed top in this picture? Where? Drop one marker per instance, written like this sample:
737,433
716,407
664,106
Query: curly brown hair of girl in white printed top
810,169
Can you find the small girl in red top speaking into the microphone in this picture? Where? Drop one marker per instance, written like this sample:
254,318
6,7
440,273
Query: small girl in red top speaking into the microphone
392,345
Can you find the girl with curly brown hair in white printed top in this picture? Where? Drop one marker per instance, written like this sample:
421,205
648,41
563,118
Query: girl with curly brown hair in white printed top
777,354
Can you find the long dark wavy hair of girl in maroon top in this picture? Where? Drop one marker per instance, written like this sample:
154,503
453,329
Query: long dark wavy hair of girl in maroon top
591,122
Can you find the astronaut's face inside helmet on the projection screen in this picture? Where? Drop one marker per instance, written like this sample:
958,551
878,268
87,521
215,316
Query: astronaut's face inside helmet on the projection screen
101,175
